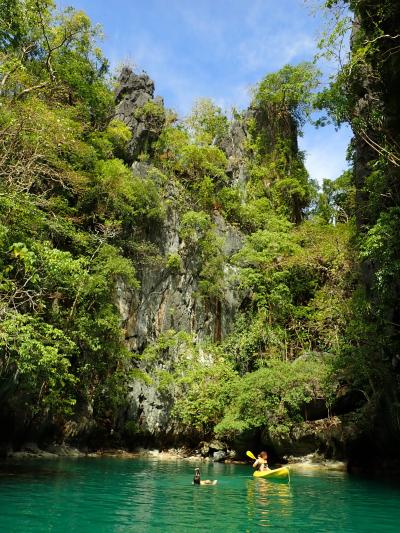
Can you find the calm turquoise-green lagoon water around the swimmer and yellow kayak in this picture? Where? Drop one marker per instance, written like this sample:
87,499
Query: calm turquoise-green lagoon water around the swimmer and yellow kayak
129,495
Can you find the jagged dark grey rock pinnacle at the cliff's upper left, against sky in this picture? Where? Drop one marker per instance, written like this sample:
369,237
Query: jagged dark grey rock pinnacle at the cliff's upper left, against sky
135,91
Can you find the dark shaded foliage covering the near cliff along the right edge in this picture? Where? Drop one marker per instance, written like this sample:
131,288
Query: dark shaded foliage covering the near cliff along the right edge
363,92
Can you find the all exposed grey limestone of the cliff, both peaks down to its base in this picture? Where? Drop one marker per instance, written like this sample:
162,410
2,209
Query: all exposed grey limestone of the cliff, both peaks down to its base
169,298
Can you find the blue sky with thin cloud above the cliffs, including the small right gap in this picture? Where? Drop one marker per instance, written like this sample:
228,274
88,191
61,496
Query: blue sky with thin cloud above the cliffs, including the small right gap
217,49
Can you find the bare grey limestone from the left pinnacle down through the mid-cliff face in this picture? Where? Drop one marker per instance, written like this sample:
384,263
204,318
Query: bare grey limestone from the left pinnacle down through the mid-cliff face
168,299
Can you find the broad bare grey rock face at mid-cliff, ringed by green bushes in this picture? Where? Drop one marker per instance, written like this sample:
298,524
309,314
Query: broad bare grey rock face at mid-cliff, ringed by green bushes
169,298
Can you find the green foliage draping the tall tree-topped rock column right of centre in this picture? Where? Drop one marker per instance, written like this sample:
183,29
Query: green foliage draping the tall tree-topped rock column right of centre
282,102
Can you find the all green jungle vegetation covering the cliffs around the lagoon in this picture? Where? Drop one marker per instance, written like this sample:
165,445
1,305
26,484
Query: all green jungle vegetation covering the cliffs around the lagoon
319,265
